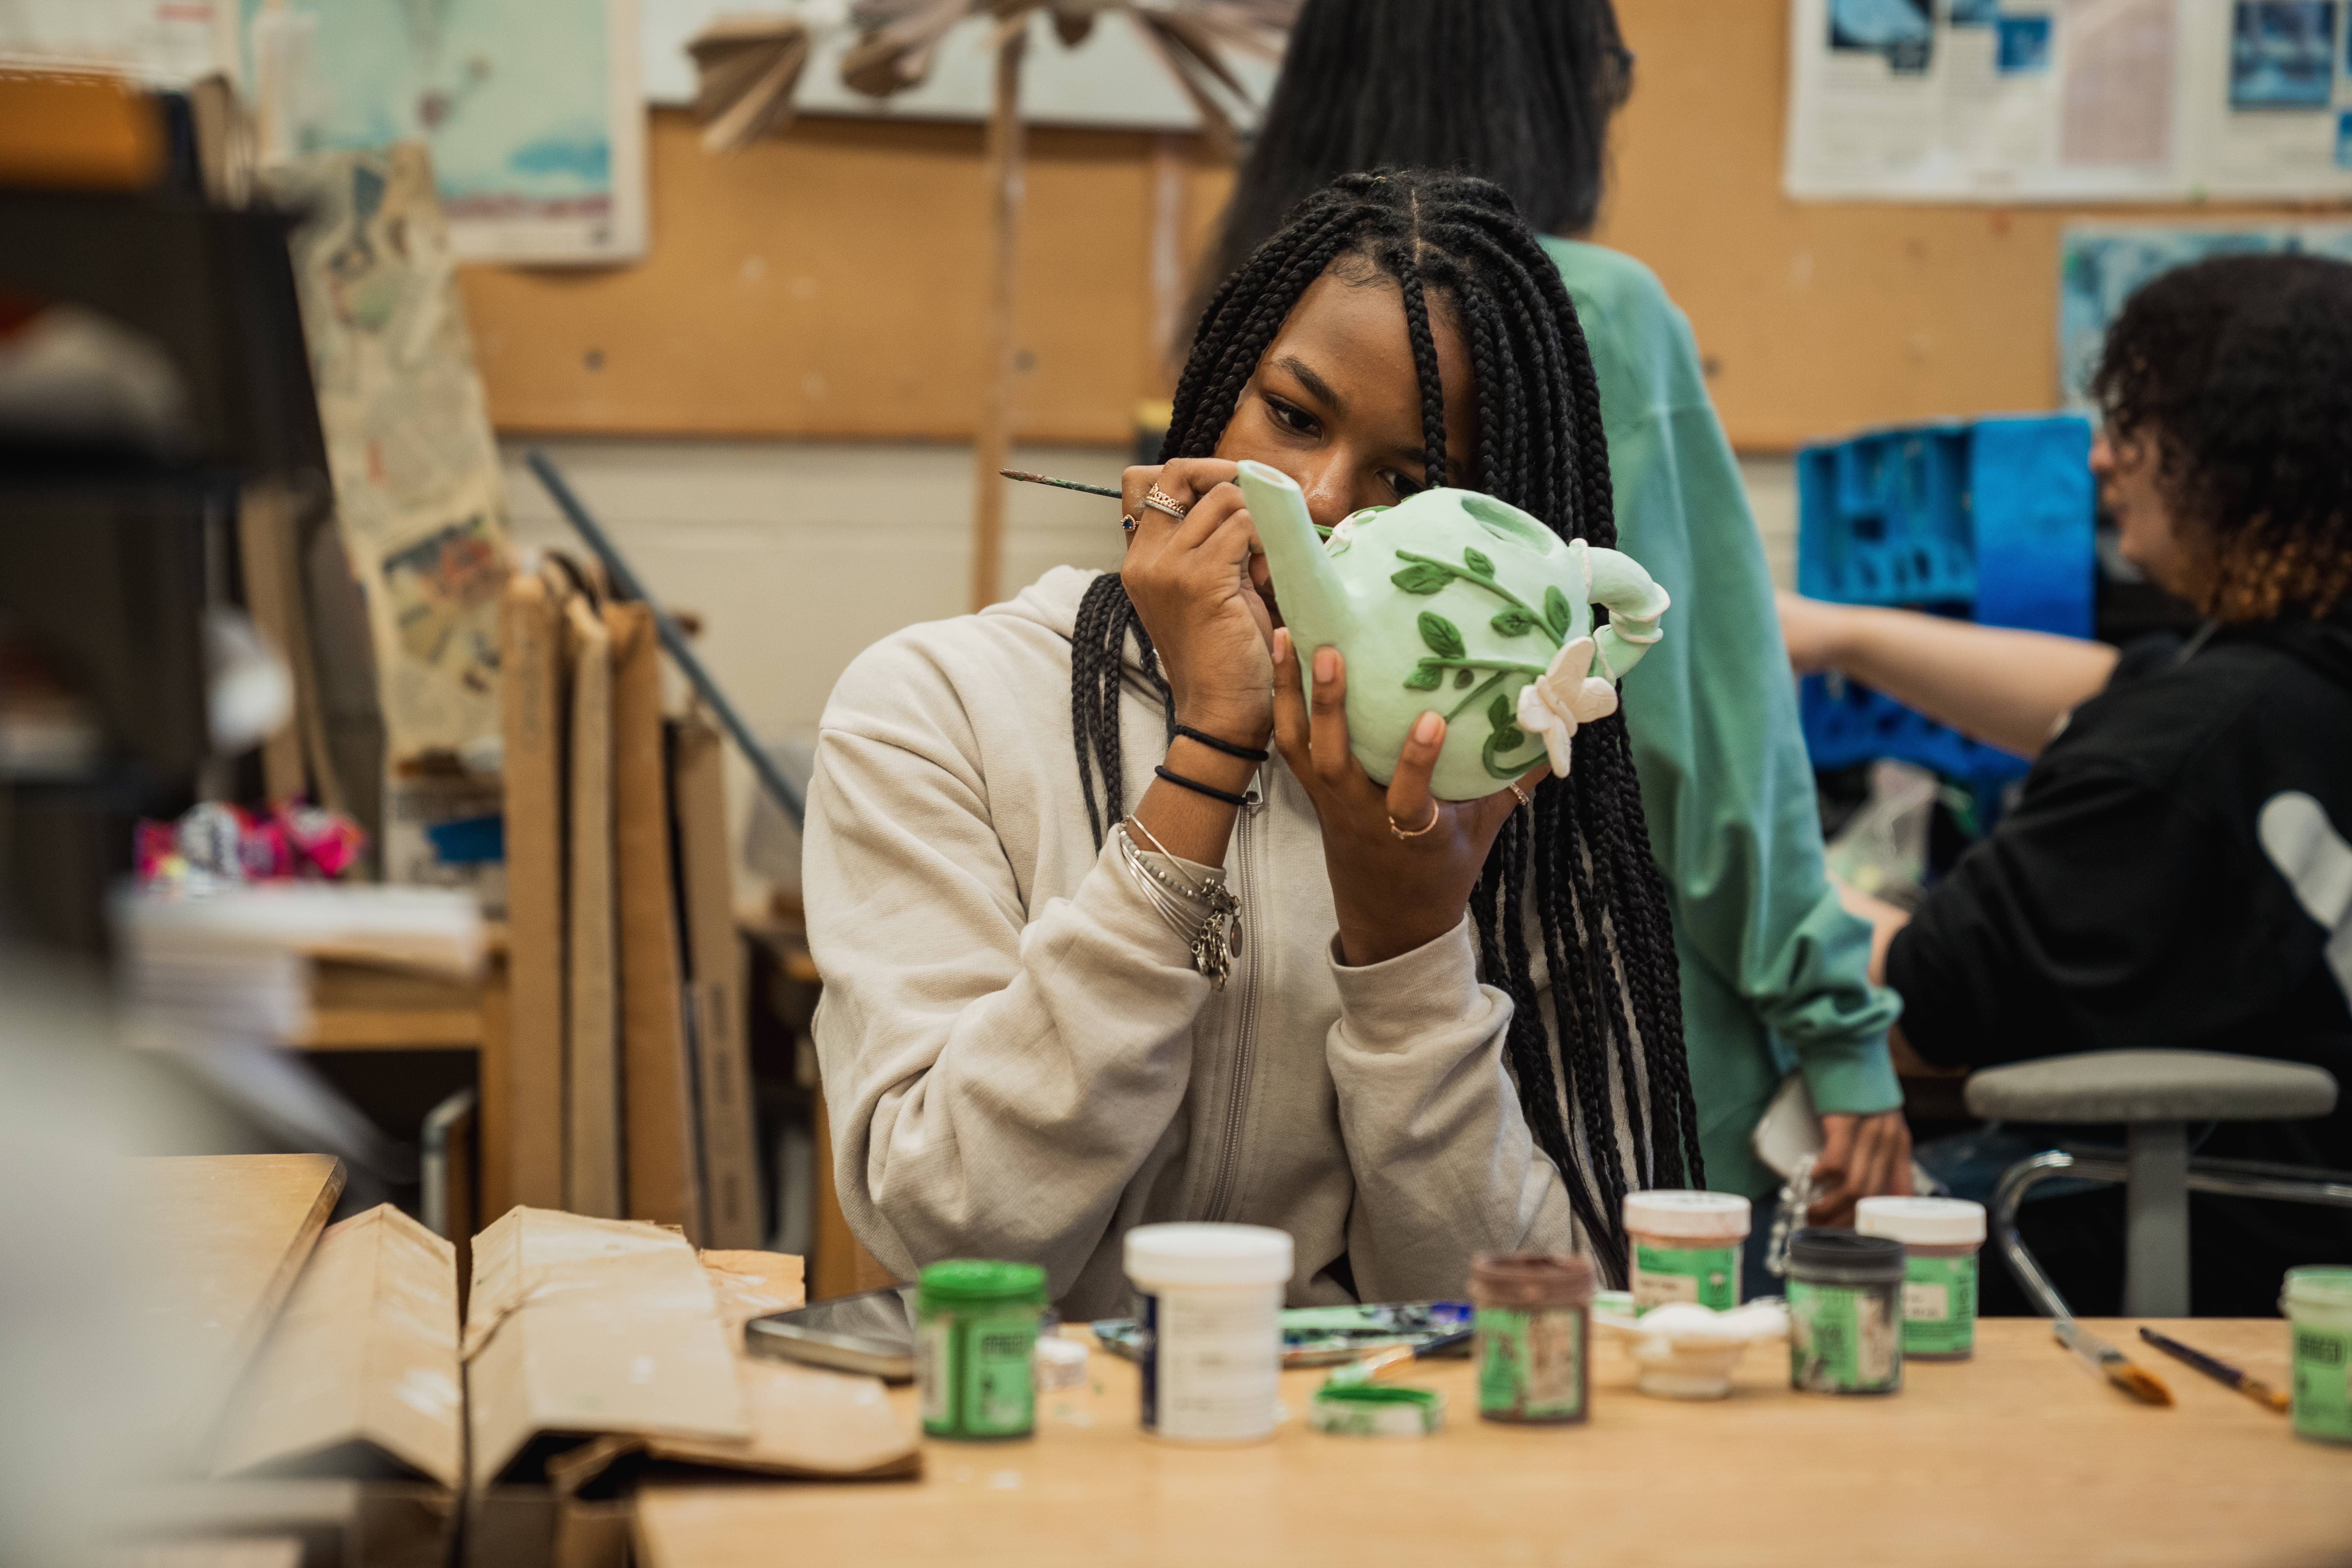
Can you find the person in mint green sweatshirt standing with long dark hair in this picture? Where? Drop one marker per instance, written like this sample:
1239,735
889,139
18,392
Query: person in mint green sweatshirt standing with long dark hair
1775,972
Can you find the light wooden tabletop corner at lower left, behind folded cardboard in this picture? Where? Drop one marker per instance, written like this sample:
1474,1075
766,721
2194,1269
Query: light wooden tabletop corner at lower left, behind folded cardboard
220,1245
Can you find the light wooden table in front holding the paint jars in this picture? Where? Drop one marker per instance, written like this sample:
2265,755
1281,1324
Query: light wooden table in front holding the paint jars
2010,1459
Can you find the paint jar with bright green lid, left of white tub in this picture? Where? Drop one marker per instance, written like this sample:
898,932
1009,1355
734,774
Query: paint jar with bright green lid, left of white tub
975,1336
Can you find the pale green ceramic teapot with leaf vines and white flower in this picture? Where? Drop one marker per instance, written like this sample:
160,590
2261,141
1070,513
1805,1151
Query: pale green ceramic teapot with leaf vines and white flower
1464,605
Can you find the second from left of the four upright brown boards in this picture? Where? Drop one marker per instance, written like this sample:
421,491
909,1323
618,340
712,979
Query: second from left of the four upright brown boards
594,1031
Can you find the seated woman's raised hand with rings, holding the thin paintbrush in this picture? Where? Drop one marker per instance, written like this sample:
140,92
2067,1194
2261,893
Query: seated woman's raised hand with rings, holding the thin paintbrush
1189,582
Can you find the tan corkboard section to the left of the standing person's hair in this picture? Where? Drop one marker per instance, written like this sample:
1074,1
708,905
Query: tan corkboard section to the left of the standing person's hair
831,283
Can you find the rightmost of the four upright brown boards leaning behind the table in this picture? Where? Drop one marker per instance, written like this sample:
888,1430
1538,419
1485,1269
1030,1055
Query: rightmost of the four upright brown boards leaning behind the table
716,977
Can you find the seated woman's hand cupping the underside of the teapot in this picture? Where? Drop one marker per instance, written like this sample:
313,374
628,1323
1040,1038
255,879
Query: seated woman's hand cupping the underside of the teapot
1394,894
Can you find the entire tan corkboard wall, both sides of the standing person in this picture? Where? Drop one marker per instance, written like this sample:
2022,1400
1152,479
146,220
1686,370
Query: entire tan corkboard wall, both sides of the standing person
829,283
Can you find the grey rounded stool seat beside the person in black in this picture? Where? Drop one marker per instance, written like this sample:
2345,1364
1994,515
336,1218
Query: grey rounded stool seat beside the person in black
2151,1087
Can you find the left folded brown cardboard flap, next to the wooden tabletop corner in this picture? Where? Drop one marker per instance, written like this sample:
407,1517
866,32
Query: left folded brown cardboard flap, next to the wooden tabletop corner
361,1374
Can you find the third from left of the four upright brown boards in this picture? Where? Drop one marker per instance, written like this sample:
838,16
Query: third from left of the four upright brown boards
657,1076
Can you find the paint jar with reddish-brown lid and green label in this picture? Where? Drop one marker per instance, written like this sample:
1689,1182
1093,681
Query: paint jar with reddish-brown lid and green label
1535,1320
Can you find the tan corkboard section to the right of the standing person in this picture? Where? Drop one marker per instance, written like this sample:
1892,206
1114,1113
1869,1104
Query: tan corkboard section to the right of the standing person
1822,316
